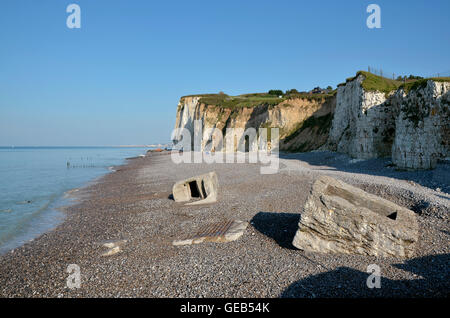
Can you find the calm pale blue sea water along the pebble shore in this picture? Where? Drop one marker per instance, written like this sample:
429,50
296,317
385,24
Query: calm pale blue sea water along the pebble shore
34,180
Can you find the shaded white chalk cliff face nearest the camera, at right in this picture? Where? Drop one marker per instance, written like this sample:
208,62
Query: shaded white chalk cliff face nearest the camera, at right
411,126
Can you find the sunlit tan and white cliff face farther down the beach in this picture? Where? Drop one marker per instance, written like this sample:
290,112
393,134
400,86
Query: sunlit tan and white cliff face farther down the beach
303,123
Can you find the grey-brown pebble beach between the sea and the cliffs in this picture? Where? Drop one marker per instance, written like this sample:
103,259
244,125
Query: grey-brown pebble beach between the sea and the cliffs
132,208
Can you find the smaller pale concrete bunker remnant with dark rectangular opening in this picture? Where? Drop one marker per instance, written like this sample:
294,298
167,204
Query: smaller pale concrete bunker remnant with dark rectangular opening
203,188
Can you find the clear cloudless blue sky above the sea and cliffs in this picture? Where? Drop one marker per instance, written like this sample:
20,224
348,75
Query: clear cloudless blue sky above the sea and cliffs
118,79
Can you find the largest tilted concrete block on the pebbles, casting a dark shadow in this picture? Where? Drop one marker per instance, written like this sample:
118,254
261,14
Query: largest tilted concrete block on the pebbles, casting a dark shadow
340,218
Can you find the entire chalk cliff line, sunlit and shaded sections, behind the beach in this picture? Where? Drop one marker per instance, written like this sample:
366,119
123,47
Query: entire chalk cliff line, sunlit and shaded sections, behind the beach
368,117
